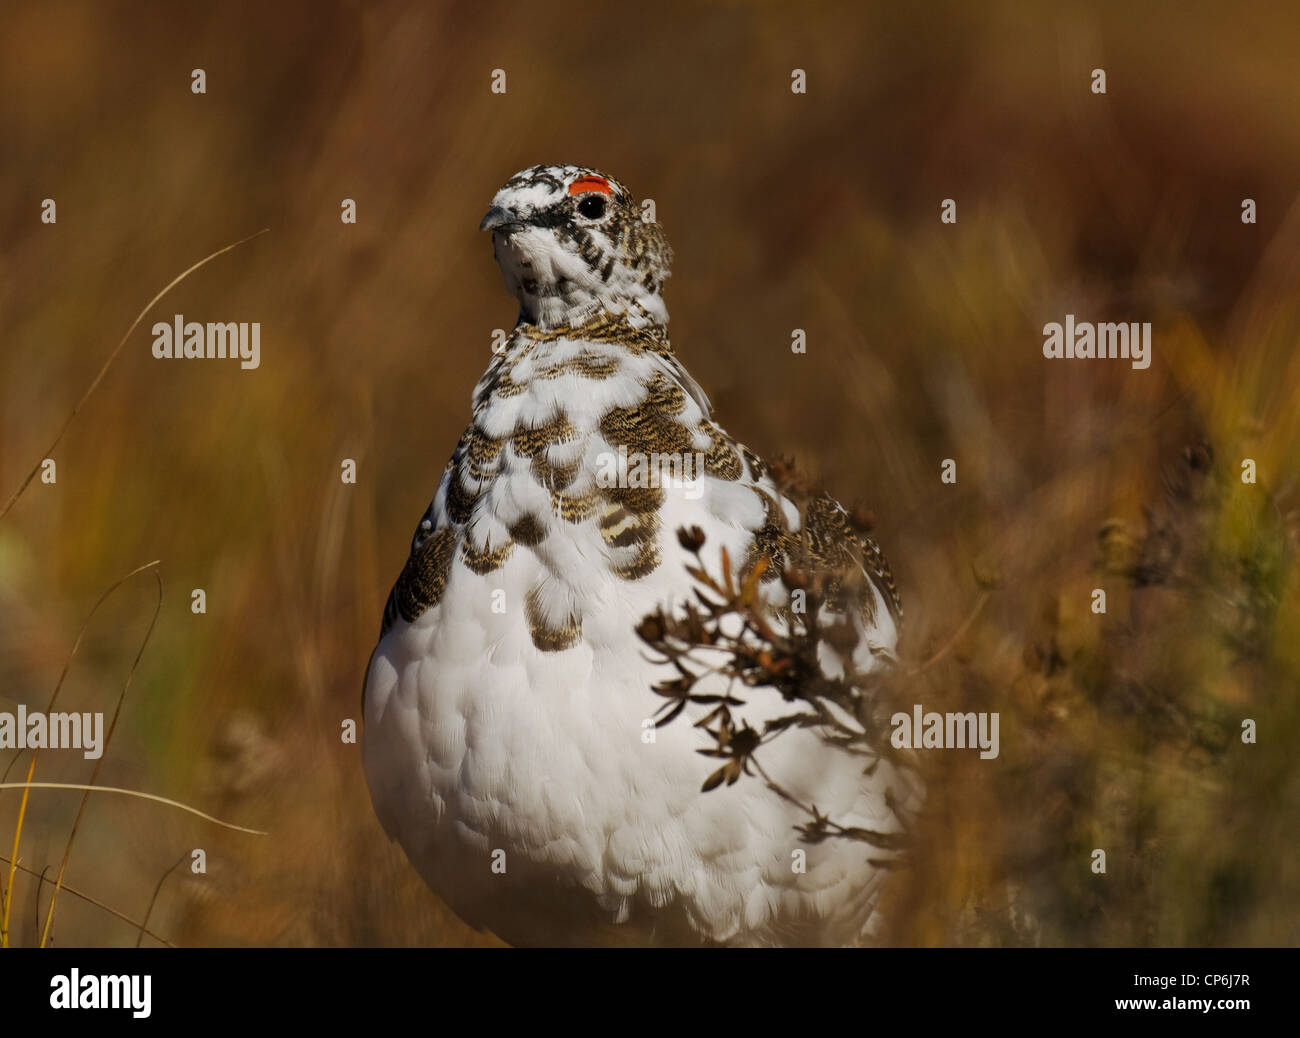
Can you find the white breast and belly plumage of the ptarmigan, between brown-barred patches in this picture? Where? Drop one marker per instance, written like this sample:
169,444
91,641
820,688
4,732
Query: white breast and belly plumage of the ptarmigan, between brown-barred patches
530,786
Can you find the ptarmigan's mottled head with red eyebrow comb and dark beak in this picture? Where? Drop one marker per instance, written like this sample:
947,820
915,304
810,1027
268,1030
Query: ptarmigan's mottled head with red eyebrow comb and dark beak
571,243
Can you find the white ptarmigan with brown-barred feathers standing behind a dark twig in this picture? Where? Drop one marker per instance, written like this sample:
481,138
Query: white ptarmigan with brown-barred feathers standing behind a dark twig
508,700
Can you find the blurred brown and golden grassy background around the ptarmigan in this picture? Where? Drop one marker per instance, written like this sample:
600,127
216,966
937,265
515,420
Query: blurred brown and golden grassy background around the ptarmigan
816,211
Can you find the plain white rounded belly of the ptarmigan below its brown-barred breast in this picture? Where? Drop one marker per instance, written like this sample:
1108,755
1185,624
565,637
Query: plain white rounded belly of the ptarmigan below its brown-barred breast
534,795
